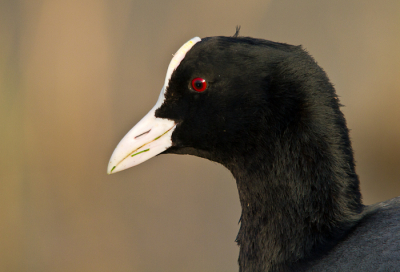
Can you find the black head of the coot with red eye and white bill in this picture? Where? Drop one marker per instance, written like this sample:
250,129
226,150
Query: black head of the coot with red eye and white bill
223,99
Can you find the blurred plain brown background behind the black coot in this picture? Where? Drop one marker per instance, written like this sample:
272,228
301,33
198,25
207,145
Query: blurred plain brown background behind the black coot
75,76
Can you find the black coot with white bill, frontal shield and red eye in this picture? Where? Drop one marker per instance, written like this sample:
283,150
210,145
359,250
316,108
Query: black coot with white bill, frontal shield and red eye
268,113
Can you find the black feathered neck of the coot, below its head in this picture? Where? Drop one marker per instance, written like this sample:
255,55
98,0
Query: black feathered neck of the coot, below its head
295,203
